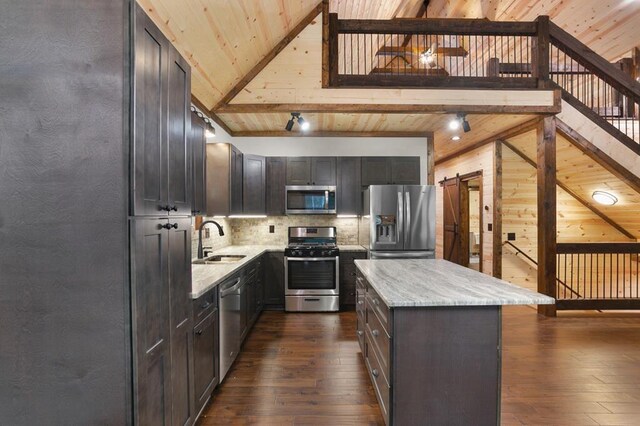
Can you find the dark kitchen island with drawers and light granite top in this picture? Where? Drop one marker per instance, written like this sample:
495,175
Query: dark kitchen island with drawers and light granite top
430,335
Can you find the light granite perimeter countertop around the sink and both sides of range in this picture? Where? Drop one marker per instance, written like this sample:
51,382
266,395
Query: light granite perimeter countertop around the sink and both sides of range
206,277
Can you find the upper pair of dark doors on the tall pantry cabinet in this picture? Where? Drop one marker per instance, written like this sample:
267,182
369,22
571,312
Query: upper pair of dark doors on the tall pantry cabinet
161,161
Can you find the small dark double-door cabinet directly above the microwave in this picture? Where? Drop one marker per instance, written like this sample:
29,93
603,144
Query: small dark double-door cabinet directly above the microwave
311,171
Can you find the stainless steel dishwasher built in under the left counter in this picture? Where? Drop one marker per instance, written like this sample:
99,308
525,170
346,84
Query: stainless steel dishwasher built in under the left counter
231,296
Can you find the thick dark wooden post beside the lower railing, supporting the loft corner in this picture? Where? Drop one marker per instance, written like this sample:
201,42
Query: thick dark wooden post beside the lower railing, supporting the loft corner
546,139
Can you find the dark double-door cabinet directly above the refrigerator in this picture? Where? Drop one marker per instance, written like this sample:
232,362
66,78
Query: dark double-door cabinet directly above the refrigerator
390,170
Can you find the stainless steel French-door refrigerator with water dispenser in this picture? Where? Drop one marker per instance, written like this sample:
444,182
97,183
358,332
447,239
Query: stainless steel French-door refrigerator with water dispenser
402,221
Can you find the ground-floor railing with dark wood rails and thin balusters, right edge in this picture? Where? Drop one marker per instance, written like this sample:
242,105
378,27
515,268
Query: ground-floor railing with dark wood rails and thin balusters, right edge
598,275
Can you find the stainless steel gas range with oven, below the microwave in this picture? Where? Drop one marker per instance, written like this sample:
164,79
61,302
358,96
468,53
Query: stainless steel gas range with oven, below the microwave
311,265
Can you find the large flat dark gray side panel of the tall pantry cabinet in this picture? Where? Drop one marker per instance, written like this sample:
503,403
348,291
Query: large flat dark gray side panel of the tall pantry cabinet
64,339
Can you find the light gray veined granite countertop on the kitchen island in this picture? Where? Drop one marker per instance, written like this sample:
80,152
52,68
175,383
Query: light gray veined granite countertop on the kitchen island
437,282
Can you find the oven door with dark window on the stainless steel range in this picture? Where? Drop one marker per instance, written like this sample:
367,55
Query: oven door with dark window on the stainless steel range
315,276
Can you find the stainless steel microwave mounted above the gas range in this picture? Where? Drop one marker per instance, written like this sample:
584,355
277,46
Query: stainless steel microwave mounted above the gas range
310,199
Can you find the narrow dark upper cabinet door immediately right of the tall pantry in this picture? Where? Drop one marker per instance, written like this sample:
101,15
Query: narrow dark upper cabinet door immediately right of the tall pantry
198,165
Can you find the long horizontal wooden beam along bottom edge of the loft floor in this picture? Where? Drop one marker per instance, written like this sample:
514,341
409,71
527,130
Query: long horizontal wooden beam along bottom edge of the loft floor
387,108
